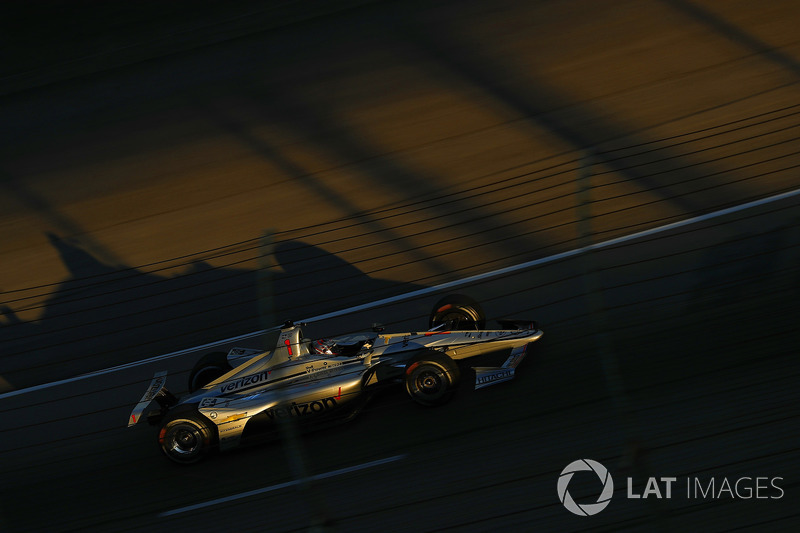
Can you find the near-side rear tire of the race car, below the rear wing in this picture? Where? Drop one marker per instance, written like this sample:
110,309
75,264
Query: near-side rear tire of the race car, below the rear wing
186,437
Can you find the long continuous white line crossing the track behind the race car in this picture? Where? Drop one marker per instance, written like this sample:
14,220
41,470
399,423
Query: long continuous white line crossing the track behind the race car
436,288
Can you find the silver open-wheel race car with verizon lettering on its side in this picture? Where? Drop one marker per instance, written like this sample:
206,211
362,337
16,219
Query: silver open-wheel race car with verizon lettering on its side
236,396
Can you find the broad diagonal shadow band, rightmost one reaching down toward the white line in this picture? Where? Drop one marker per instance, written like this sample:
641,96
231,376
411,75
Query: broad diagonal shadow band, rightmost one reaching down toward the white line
665,173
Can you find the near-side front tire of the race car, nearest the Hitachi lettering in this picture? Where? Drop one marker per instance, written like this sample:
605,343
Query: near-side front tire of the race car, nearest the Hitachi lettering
431,378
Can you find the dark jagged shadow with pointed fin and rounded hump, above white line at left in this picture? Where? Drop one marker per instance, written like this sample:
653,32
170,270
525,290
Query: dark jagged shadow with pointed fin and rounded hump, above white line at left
103,316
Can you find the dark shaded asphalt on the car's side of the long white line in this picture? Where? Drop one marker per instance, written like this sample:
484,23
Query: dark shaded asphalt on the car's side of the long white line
488,460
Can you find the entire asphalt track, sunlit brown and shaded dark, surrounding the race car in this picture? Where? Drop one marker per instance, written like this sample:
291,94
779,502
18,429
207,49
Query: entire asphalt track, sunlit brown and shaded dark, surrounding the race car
670,356
